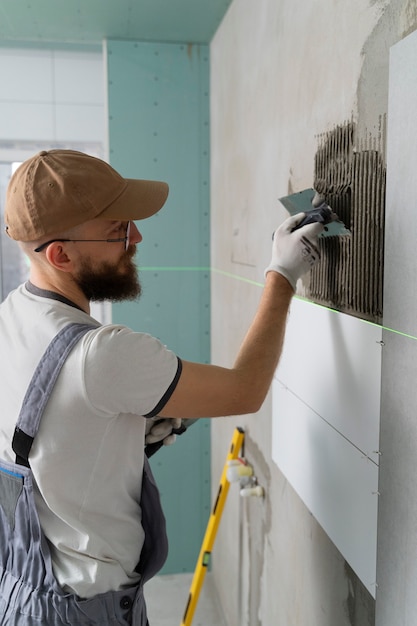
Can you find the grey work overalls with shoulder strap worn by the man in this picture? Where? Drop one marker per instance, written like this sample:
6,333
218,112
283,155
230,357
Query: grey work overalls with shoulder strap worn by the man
29,592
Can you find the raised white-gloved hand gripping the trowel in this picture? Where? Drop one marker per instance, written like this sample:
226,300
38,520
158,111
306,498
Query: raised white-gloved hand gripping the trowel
294,253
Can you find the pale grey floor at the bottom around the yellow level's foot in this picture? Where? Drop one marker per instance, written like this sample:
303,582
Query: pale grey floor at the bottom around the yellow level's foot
166,599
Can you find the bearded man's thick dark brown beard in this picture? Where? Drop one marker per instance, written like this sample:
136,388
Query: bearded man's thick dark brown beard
109,282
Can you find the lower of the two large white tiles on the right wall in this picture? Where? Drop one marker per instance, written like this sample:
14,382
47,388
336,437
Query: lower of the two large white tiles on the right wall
337,483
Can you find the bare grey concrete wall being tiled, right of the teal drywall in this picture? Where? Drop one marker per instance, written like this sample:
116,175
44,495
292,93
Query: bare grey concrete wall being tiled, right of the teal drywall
283,73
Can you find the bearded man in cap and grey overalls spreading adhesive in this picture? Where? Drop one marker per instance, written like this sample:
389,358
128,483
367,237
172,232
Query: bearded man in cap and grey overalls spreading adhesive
73,217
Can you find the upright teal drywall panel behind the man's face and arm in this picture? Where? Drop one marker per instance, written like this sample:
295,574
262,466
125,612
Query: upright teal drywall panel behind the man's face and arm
158,103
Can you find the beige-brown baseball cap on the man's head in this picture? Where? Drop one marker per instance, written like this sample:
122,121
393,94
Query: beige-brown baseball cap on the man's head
58,189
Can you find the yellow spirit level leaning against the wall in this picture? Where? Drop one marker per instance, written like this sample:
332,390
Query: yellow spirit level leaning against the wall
211,530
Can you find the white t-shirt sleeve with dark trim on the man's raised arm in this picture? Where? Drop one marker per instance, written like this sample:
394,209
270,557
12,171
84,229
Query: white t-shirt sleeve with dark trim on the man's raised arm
128,372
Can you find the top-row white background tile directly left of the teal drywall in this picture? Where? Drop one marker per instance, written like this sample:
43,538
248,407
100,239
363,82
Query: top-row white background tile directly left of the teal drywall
74,86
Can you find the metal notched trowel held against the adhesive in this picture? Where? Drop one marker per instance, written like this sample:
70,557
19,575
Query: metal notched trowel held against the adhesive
317,210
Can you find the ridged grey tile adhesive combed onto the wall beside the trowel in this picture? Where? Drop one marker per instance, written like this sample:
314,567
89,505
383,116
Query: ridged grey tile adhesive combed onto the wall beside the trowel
349,277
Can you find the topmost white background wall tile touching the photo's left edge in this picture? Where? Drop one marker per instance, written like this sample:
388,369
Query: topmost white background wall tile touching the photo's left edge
26,75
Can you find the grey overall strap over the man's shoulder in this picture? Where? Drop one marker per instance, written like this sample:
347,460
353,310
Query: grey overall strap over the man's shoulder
40,388
